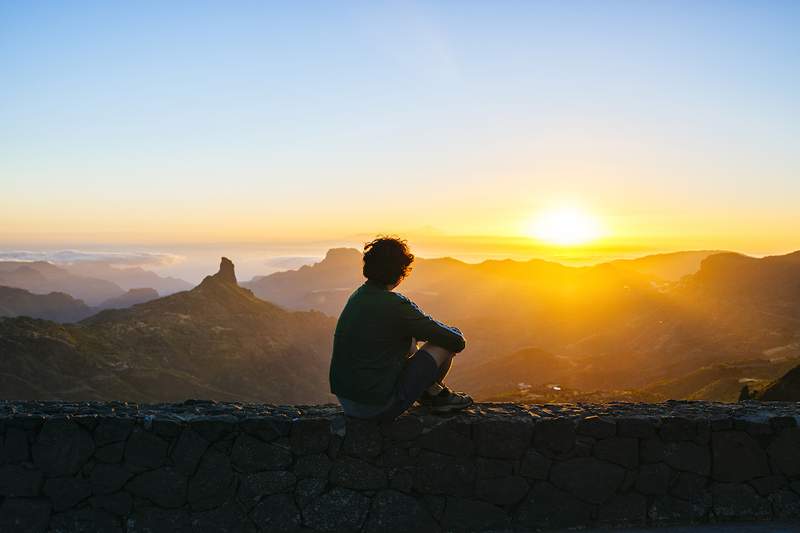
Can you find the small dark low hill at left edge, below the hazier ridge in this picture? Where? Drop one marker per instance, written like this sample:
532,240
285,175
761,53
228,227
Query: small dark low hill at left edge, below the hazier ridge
55,306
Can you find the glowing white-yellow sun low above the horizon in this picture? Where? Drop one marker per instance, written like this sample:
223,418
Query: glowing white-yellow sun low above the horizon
565,226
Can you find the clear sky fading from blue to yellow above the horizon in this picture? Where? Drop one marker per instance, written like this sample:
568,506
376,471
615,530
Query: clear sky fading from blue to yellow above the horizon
677,124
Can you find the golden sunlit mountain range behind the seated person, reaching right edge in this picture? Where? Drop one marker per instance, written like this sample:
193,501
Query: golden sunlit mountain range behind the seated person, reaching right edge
622,325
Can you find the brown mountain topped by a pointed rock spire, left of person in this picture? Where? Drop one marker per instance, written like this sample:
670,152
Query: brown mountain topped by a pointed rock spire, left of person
215,341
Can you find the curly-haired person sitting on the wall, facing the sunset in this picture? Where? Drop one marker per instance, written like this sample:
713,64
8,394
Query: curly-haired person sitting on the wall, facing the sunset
376,370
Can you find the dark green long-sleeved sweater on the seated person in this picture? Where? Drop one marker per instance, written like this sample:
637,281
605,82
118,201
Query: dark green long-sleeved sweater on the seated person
372,339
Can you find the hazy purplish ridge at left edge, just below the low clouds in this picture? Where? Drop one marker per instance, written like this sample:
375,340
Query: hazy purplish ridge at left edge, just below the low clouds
41,277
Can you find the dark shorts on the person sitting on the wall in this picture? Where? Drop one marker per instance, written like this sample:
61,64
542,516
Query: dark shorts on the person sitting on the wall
419,373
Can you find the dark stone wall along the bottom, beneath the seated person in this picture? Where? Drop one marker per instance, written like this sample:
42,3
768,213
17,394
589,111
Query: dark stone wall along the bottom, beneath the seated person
207,466
